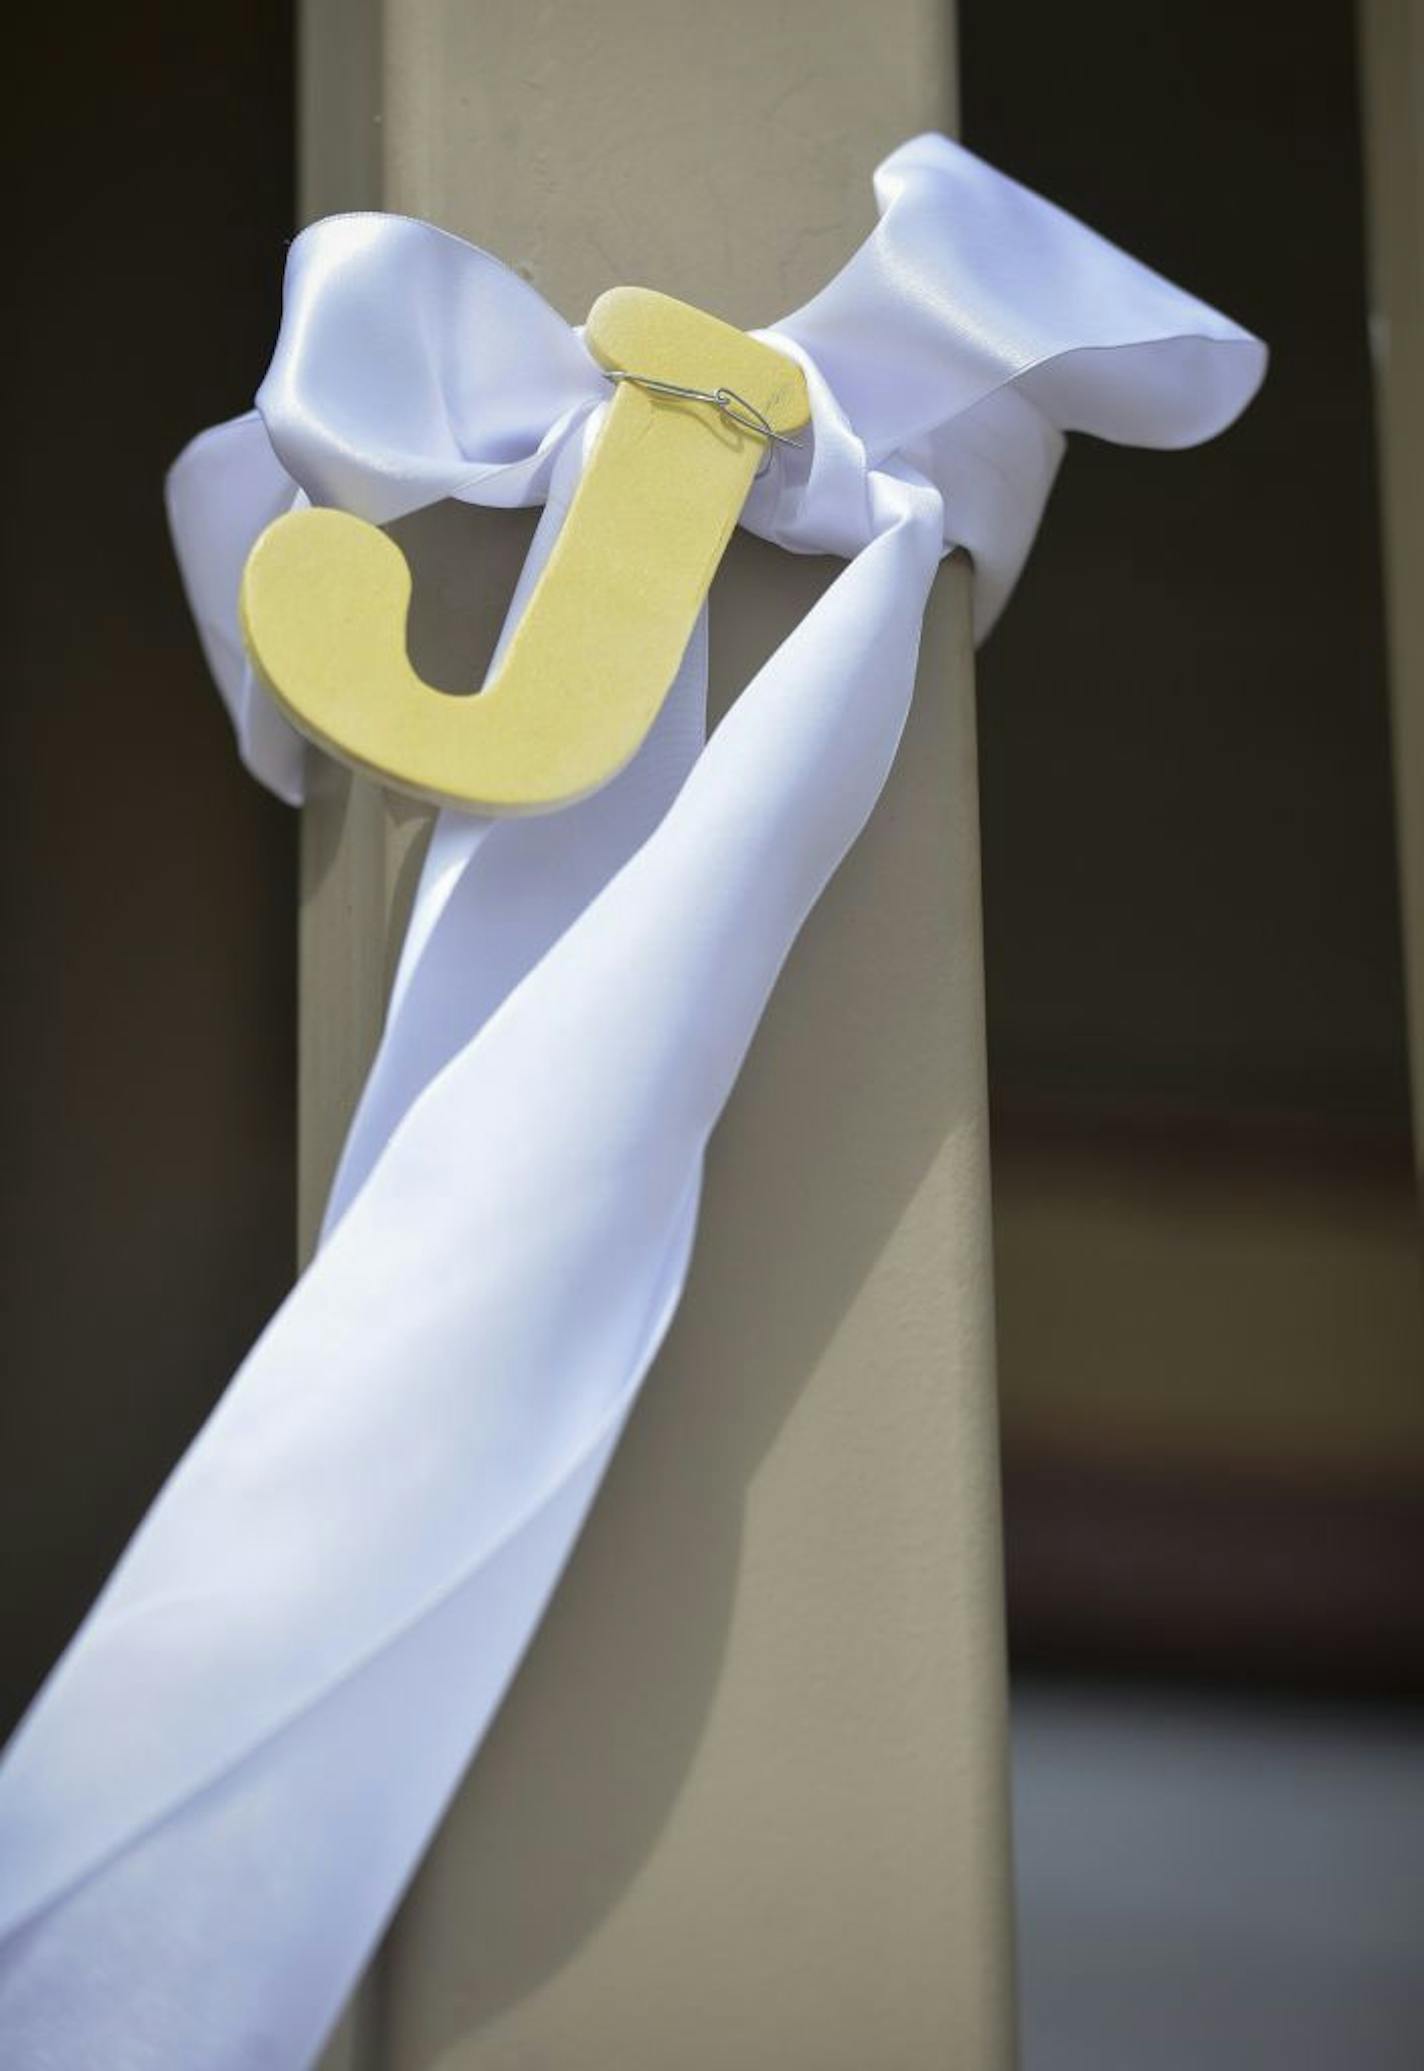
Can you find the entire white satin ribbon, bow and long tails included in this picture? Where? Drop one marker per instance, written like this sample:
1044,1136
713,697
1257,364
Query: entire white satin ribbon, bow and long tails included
218,1797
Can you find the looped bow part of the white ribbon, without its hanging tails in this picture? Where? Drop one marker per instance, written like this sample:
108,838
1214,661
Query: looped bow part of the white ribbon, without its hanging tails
963,341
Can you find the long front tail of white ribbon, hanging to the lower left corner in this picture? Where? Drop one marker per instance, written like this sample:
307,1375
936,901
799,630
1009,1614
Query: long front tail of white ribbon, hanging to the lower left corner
566,1233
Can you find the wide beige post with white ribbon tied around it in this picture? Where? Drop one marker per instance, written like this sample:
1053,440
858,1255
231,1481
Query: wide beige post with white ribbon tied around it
748,1799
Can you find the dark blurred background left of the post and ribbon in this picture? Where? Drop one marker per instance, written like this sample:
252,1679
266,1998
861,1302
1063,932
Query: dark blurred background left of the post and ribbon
148,887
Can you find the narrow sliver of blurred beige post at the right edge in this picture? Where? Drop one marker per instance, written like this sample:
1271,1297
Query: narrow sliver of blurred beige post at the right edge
1392,49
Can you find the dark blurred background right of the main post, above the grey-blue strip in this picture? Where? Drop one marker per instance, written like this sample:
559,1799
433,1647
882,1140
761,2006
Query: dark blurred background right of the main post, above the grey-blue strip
1212,1337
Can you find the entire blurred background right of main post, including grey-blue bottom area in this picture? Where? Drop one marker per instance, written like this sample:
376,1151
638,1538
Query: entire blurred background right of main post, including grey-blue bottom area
1212,1322
